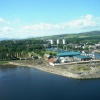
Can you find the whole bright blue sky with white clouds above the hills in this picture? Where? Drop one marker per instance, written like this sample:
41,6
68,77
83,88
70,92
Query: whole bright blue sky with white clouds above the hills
33,18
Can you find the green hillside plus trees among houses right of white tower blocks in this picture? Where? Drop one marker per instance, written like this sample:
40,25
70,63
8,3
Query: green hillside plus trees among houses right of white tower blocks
80,39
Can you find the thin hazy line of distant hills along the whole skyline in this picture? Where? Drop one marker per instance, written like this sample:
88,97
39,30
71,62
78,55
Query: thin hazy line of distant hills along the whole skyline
90,34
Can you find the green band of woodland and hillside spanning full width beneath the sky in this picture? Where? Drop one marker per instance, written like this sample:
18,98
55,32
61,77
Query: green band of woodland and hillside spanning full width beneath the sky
14,49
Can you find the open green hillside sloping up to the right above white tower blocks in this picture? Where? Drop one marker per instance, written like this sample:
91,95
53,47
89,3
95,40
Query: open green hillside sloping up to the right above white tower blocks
85,36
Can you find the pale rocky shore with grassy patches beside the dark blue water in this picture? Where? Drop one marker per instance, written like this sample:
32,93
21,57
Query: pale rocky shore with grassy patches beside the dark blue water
78,71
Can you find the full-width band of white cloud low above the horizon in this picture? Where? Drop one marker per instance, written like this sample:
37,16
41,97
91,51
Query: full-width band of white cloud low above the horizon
15,29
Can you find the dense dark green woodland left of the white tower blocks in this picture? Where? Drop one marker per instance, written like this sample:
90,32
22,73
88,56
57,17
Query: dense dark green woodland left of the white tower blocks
13,49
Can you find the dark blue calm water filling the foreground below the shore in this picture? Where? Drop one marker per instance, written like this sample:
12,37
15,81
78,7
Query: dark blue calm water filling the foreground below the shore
23,83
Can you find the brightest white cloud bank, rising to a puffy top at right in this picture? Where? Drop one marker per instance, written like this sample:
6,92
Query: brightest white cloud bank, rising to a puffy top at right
83,22
